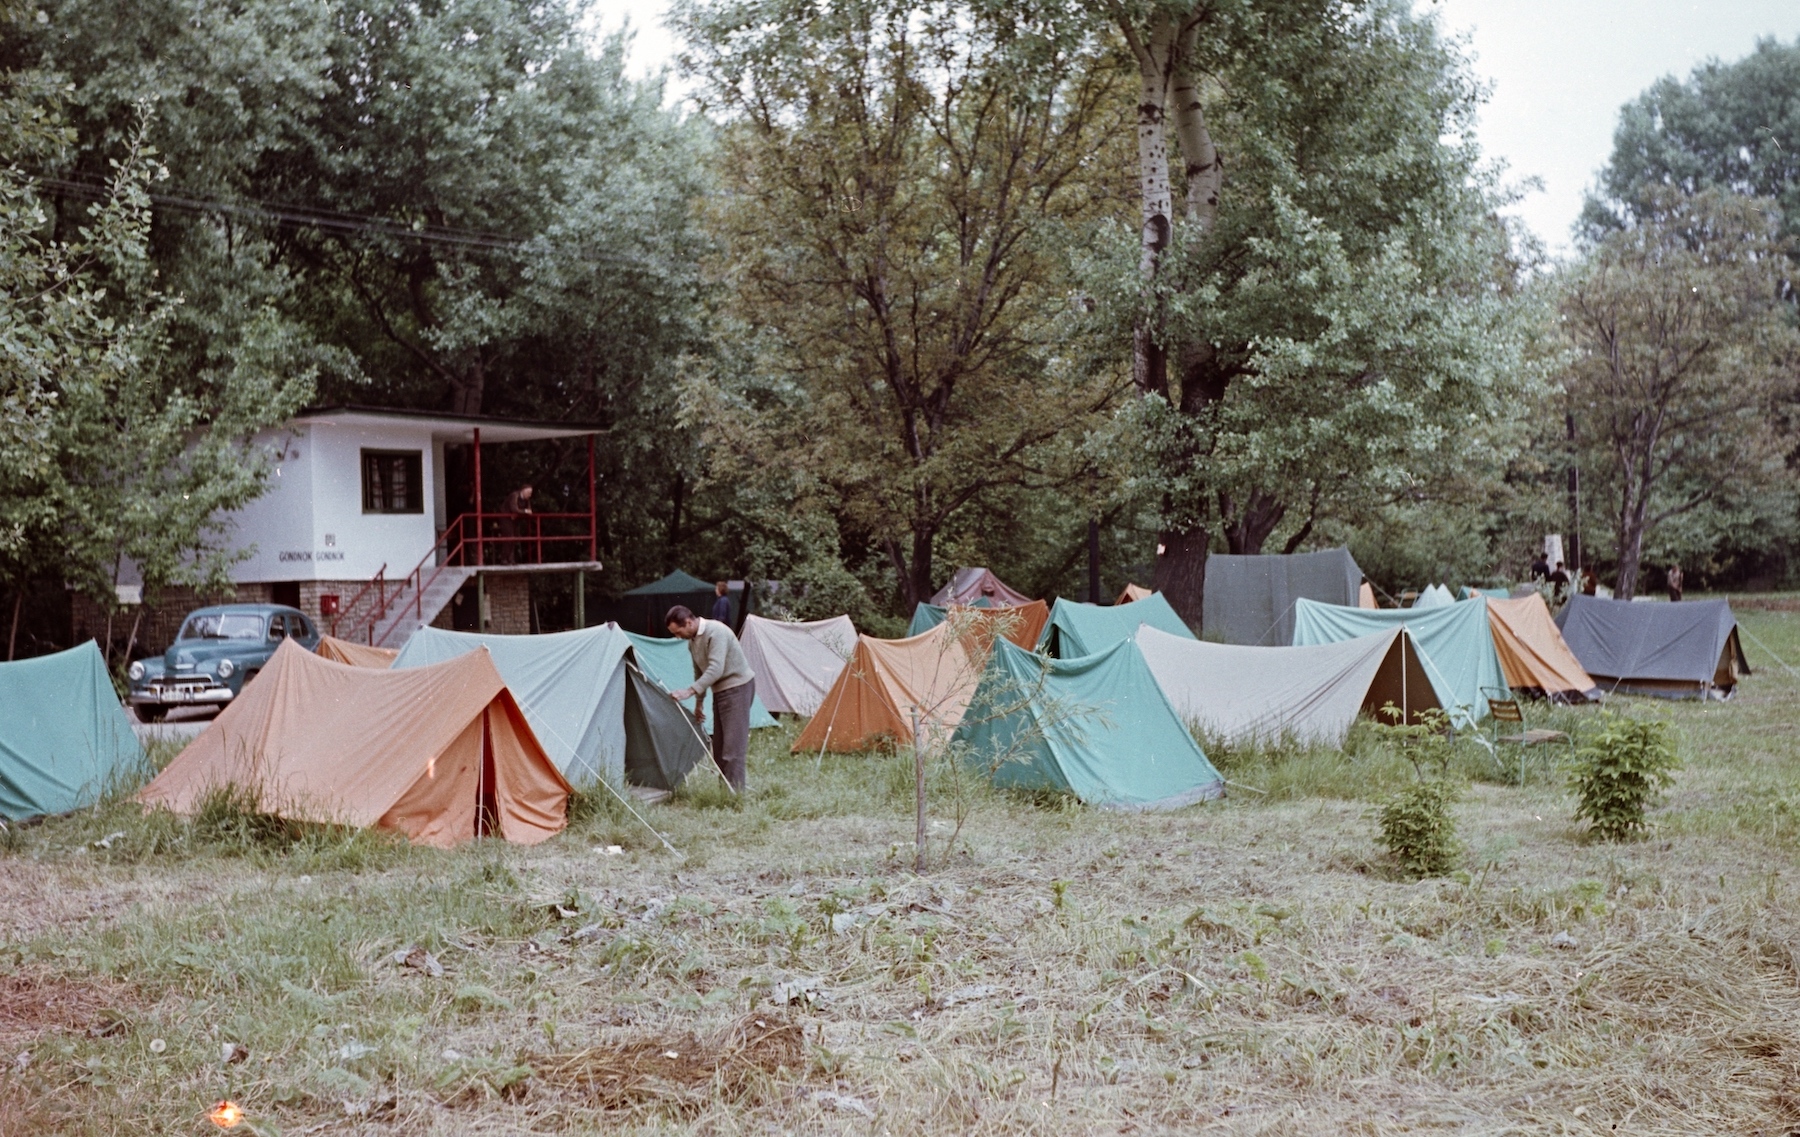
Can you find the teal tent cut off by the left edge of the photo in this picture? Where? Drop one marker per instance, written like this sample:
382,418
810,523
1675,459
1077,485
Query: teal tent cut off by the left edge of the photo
64,737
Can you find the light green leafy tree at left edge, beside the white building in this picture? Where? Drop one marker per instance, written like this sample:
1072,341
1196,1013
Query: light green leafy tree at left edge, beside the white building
111,454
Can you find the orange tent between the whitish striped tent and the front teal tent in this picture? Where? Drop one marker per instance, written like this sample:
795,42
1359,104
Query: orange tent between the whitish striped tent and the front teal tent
877,690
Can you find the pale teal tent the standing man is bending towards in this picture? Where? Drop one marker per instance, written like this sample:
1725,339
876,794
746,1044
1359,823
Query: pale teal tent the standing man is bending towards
595,715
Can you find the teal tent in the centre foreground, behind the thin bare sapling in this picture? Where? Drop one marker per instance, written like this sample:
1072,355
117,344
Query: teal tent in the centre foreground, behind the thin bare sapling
1097,728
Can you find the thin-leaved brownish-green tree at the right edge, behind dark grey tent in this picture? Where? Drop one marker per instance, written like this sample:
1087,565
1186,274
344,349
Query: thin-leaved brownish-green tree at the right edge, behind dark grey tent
1682,357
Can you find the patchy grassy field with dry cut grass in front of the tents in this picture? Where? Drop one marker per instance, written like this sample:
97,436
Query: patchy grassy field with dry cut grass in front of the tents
1246,967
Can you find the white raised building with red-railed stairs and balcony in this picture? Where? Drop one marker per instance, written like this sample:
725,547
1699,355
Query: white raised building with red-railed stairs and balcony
355,528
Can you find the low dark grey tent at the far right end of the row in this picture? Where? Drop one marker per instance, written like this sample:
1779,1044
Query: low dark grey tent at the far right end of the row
1686,650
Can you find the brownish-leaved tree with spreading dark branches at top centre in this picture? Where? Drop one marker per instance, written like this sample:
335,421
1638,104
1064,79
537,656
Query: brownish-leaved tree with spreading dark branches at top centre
903,186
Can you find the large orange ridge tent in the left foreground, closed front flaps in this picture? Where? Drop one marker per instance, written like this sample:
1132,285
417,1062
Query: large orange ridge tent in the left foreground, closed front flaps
440,753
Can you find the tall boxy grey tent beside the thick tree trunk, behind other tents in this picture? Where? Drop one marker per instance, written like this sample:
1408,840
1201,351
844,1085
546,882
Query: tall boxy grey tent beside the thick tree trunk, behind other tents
1250,600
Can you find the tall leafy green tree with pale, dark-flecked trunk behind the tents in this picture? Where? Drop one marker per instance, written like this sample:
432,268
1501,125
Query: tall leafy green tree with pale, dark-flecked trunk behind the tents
1333,303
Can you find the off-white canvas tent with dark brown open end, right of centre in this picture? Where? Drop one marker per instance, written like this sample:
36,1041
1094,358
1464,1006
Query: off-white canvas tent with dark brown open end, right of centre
1266,695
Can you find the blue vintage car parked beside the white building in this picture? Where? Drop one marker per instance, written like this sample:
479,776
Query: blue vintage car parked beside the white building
215,656
